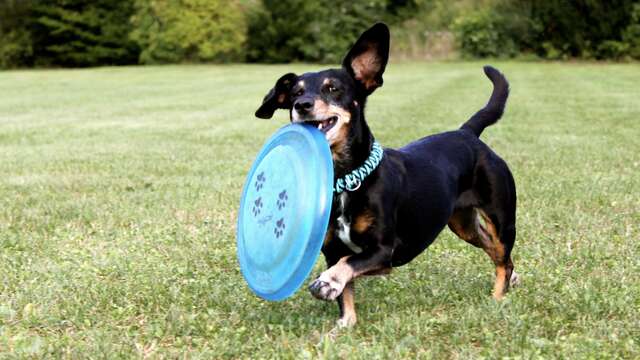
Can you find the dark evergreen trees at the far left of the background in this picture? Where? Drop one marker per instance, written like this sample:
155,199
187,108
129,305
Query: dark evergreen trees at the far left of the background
66,33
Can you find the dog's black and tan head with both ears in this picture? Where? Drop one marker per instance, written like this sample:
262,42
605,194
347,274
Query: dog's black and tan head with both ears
333,100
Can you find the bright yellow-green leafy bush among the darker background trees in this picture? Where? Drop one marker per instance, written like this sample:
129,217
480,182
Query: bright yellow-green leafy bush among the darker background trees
189,31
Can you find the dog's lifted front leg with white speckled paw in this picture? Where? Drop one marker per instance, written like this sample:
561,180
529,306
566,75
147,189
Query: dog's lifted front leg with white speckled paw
331,282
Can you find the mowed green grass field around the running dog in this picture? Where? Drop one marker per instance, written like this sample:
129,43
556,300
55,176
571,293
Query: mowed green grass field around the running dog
119,189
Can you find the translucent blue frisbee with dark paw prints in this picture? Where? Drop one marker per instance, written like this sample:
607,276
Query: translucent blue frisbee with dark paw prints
284,211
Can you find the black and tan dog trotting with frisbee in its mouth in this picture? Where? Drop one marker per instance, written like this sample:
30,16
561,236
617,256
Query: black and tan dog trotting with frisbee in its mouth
451,178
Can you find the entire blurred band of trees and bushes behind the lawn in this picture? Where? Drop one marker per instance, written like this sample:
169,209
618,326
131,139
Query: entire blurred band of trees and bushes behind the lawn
72,33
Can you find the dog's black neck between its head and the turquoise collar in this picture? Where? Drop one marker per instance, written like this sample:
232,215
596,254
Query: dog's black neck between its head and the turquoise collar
356,149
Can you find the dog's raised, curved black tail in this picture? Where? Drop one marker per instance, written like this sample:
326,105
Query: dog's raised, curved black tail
490,114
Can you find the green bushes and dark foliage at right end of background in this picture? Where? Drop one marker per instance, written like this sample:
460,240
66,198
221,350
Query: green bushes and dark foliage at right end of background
554,29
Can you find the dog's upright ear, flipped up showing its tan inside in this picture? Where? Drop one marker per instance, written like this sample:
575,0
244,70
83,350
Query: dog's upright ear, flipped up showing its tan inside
367,59
